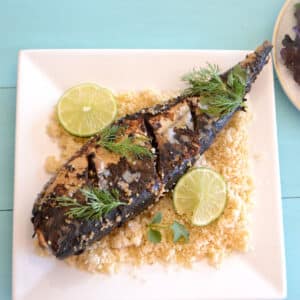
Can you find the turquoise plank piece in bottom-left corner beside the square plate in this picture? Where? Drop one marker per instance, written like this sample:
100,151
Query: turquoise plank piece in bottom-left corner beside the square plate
5,254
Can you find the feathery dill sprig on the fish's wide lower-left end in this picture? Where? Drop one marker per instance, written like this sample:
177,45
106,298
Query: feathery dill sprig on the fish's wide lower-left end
98,204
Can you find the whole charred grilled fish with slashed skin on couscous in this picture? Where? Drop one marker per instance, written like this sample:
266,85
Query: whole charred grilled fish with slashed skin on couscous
177,133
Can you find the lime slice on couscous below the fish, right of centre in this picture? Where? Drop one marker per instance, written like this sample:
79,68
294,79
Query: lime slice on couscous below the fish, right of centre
201,195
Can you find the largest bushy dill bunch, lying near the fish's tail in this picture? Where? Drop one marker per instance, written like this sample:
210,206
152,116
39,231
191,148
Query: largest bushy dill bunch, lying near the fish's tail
217,97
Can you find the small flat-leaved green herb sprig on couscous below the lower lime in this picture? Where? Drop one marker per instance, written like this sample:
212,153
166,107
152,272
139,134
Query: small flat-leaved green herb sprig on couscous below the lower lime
154,234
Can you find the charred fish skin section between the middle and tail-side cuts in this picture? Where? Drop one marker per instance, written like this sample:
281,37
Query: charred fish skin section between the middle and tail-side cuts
176,141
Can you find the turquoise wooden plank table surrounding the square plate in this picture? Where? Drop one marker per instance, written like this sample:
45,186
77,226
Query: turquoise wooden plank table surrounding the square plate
191,24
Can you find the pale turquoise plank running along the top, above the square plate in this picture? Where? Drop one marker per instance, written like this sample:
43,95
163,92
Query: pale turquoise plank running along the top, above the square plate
192,24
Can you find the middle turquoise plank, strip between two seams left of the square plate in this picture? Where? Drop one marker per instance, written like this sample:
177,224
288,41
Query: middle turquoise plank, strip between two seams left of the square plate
7,146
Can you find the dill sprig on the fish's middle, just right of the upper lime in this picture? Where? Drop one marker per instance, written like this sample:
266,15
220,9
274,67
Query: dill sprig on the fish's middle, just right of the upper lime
125,147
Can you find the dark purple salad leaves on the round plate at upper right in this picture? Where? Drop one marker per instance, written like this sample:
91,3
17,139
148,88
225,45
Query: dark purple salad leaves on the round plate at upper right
290,53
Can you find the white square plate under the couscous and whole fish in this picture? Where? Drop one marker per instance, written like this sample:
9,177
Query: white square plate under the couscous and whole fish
42,77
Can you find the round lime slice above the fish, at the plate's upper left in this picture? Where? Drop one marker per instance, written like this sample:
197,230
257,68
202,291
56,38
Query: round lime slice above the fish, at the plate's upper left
86,109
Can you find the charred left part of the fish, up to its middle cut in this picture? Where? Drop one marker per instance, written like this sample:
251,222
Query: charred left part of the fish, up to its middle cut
137,183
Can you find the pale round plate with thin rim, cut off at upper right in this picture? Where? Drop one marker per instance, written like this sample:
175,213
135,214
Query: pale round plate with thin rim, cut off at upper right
284,25
